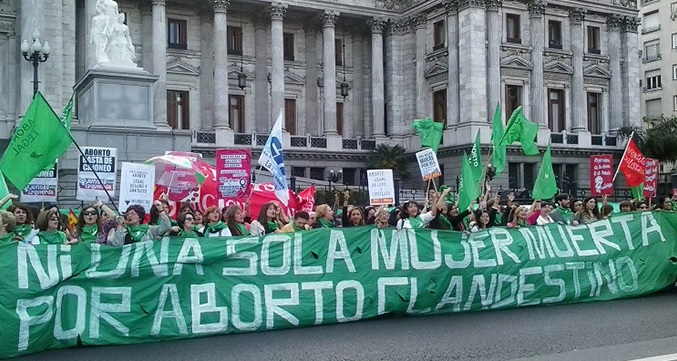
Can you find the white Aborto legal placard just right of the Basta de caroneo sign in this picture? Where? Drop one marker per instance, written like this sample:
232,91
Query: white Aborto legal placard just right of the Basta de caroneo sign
137,185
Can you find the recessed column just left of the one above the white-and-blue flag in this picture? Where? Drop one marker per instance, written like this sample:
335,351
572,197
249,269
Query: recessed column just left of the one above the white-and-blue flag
262,97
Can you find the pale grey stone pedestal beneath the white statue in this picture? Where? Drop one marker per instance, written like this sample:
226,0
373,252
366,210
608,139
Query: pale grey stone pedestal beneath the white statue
116,96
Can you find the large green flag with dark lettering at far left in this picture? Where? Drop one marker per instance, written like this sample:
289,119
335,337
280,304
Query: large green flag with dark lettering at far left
38,141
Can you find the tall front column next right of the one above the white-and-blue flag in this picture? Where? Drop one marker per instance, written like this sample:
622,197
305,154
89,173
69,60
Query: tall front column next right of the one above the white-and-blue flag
329,61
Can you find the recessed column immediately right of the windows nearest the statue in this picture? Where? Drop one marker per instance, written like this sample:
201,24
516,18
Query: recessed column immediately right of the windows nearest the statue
206,71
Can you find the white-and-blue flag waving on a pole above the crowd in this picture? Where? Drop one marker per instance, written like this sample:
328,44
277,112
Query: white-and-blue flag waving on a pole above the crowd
272,159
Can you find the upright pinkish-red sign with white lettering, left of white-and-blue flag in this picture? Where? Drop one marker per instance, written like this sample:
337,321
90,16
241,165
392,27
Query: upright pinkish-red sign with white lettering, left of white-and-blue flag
233,173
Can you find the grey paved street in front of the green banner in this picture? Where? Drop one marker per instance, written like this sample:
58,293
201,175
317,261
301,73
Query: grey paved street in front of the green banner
618,330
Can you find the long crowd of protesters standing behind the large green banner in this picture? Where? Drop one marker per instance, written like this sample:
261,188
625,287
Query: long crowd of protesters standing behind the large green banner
97,223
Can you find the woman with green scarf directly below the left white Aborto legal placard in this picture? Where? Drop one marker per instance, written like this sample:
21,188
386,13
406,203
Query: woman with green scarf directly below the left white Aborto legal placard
130,228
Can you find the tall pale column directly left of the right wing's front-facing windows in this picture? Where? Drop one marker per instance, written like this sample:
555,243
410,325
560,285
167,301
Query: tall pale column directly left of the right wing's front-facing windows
494,33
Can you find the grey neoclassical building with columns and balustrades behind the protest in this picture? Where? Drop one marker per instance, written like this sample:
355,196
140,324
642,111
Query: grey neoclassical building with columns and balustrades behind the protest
346,75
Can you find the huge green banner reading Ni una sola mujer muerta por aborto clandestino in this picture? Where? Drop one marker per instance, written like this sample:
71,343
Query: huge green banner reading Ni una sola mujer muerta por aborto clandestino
55,296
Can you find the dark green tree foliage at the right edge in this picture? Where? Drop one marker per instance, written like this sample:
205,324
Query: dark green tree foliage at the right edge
658,140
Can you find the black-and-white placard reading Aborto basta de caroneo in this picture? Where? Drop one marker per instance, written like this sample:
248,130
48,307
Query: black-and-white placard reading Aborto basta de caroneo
104,163
